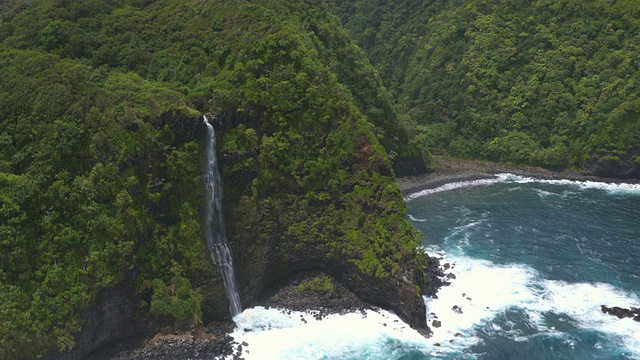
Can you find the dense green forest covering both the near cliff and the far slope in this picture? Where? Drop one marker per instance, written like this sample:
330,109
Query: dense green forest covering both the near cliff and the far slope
102,141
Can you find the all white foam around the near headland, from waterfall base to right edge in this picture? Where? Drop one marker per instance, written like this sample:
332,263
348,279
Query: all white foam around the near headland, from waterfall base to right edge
483,290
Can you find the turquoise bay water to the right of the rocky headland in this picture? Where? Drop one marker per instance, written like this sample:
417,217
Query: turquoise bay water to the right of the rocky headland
558,249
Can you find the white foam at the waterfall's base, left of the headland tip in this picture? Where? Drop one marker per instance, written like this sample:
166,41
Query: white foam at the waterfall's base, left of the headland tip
279,334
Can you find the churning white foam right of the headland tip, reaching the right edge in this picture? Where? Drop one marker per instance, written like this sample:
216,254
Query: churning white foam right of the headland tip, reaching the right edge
484,290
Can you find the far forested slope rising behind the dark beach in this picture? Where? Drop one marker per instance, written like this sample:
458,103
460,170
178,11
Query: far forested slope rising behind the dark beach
554,83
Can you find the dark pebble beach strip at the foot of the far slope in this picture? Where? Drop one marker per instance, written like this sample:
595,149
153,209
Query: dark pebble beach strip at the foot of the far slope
450,170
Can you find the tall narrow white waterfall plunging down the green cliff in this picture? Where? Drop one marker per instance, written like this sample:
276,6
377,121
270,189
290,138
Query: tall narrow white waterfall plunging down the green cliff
214,224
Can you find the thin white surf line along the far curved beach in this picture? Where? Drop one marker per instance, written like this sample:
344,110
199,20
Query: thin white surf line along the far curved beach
612,188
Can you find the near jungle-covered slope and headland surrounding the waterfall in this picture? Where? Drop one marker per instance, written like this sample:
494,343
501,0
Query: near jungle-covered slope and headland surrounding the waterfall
101,163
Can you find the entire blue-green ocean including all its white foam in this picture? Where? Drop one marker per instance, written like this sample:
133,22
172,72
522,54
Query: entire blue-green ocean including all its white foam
530,262
